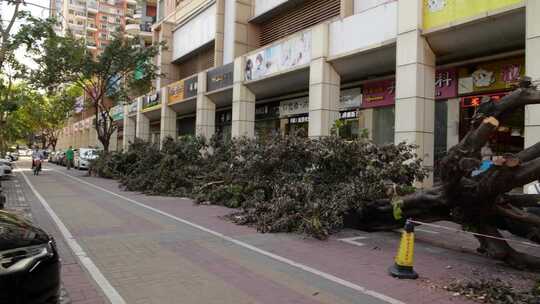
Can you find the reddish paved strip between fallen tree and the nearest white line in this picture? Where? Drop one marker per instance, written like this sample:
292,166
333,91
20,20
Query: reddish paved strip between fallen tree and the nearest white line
355,256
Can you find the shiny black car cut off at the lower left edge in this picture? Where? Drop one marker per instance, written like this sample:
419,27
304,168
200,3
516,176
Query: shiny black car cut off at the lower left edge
29,263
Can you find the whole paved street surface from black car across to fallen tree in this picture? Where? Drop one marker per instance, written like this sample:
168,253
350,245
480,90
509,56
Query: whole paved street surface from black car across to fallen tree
132,248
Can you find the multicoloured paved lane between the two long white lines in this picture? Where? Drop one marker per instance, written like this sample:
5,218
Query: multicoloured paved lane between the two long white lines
138,254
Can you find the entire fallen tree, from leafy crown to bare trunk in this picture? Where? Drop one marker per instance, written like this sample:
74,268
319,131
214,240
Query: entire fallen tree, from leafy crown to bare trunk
317,186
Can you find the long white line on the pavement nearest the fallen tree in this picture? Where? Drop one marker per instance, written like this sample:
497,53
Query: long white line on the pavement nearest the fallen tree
276,257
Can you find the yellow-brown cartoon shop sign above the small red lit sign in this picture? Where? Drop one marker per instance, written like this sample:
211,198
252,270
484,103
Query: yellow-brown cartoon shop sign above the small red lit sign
491,76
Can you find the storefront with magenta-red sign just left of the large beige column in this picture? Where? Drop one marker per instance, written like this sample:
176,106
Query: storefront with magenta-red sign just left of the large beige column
379,98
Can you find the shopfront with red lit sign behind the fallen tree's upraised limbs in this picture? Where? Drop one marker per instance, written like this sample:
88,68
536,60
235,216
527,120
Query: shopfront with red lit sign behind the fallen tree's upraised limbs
493,80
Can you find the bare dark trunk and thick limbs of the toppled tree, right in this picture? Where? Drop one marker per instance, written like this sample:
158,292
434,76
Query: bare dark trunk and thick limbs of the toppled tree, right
481,203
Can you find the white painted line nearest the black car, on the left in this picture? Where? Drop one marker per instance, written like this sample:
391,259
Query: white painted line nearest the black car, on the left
109,291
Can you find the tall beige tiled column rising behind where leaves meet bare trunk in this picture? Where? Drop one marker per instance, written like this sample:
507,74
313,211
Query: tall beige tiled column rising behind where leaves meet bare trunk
415,84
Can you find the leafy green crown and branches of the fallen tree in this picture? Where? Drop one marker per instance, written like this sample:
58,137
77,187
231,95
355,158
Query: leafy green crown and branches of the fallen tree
278,184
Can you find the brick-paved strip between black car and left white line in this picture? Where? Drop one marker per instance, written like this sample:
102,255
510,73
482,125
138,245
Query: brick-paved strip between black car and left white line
77,286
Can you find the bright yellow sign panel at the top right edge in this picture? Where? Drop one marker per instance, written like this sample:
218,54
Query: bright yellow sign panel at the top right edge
444,12
